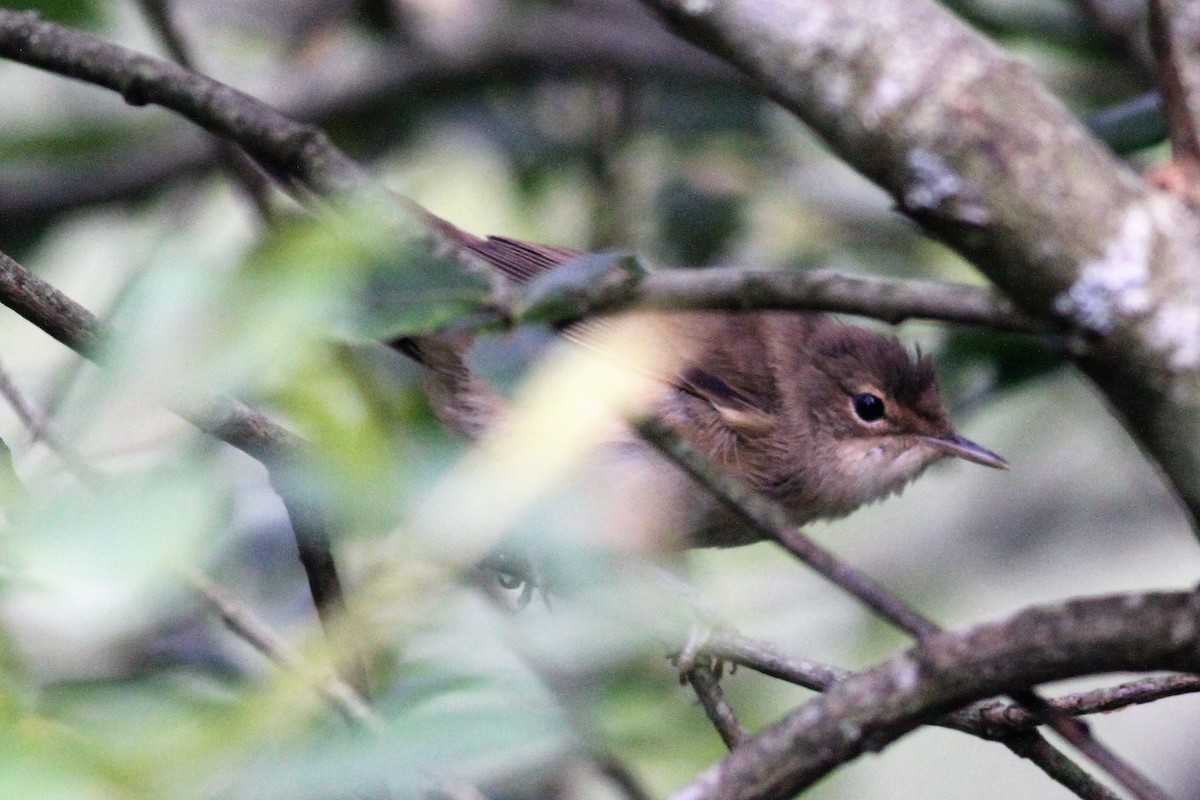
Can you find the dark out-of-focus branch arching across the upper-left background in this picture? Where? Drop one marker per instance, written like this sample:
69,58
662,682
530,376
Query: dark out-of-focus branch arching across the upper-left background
553,41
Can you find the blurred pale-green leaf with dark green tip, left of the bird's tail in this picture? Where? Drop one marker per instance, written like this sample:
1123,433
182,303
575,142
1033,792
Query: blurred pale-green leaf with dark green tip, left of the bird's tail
196,322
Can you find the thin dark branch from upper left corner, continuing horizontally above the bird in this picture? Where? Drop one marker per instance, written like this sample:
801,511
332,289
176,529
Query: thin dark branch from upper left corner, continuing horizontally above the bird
303,153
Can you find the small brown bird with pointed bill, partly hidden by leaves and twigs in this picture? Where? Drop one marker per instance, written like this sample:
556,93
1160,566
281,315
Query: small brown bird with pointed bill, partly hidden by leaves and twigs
817,414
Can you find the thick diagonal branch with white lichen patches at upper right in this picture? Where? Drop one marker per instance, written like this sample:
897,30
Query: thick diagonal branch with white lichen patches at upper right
976,151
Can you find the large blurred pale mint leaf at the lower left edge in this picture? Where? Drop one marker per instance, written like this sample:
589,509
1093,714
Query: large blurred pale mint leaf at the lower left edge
85,563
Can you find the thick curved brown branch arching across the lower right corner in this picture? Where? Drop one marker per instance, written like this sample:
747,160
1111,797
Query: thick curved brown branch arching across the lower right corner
865,713
